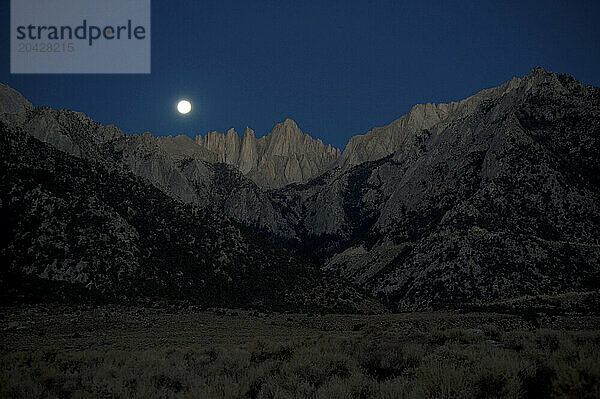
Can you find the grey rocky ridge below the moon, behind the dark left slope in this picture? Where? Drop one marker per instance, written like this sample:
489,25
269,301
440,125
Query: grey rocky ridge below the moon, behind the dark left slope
177,166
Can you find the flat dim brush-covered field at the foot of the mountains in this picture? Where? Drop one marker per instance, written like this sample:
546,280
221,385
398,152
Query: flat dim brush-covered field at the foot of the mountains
64,352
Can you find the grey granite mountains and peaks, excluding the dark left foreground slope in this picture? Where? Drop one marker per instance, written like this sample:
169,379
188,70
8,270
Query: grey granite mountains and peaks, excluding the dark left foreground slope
493,197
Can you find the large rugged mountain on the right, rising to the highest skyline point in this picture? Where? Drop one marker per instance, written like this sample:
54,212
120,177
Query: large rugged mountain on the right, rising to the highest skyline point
502,203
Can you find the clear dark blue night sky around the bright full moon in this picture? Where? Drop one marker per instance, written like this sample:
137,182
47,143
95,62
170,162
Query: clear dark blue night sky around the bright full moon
337,68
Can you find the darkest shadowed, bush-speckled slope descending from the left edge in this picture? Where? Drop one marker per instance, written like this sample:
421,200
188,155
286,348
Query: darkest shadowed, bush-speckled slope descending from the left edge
76,229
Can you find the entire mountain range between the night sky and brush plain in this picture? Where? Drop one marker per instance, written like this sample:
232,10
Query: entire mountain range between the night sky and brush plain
493,197
